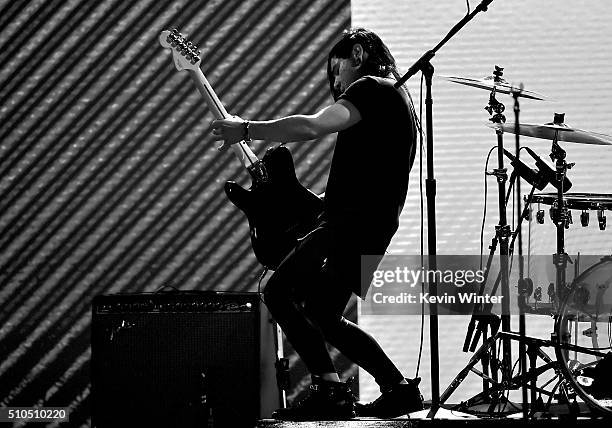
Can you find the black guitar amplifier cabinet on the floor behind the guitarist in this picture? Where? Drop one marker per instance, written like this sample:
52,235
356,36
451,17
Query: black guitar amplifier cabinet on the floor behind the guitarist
182,359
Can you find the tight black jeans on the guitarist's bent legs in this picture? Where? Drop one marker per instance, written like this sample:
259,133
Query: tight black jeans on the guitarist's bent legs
307,297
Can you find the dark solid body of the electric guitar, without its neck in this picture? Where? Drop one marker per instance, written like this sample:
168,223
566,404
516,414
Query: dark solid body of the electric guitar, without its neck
279,210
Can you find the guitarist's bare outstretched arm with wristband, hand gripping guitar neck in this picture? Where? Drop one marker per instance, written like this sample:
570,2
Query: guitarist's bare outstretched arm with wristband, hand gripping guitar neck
336,117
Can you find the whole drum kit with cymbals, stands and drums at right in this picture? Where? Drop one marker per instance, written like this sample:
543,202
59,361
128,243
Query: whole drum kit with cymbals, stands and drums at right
582,308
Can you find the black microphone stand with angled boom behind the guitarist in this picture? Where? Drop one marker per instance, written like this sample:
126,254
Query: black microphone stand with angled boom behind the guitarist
424,65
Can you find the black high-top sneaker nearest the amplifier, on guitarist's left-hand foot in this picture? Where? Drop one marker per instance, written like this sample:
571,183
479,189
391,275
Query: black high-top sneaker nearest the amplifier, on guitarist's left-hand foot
327,400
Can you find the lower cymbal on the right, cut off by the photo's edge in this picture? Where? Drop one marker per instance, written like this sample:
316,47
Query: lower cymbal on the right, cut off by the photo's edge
547,131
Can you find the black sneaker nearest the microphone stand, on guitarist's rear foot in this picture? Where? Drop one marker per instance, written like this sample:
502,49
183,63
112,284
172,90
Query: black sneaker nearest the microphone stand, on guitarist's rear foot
400,400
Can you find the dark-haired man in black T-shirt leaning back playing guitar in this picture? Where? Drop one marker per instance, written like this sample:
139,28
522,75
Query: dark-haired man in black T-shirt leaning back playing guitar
365,194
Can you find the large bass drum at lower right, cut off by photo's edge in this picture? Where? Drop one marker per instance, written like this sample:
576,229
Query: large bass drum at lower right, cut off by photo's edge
583,335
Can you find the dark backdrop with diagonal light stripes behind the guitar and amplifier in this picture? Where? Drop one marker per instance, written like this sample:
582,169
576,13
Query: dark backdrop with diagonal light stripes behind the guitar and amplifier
108,179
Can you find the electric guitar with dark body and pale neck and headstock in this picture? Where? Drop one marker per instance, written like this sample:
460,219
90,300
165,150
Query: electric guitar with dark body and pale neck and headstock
278,208
